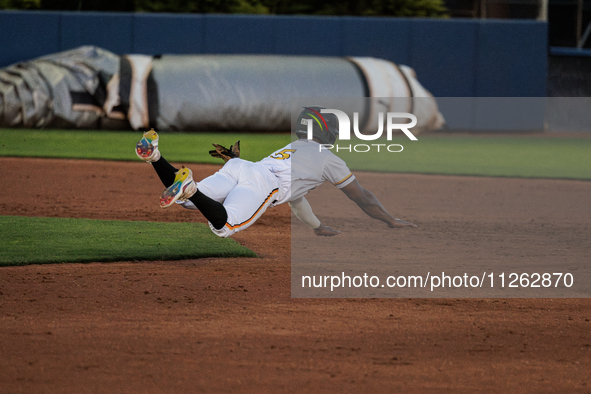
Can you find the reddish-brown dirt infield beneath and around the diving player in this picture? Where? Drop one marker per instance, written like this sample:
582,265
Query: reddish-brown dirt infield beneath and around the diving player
230,325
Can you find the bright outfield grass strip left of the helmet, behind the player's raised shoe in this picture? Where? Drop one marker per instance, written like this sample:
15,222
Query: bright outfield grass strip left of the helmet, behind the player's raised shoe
119,145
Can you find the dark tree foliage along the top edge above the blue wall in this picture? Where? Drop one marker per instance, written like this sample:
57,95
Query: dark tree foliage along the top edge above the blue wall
419,8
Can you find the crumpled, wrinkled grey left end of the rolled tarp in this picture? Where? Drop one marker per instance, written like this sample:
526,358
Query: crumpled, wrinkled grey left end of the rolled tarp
64,90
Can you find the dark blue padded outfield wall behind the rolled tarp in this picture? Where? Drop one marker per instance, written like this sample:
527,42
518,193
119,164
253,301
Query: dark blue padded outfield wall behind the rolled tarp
452,58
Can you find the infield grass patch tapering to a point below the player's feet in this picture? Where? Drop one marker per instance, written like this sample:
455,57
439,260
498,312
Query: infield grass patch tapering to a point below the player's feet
55,240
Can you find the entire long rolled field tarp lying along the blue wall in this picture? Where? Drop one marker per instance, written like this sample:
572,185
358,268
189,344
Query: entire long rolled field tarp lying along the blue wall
89,87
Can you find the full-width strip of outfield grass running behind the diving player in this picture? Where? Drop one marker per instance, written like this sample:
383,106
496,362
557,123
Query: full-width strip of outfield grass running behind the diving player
509,156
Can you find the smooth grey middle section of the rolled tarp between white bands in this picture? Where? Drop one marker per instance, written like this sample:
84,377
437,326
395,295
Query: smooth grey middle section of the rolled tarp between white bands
245,92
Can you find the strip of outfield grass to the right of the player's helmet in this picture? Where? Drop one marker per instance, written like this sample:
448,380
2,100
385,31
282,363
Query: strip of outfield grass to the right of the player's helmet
507,156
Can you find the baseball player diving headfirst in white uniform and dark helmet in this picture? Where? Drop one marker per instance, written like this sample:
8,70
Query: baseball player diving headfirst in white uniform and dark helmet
241,191
